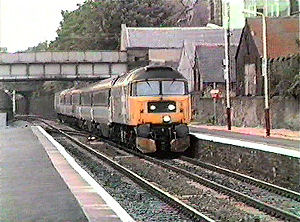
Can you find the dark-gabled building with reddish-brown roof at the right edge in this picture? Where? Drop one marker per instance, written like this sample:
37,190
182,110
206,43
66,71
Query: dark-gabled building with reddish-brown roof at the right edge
282,49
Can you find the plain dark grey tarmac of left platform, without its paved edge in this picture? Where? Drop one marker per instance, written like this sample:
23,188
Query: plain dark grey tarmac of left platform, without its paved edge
30,187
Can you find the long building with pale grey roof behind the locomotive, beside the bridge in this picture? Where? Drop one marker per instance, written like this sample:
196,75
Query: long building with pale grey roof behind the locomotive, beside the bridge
173,46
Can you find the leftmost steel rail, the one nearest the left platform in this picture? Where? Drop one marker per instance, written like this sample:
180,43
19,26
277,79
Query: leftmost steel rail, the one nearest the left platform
188,210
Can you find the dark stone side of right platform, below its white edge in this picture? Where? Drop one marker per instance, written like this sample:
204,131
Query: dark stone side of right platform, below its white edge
270,167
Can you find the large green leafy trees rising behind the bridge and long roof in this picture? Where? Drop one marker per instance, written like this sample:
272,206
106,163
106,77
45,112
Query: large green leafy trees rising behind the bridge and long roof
97,25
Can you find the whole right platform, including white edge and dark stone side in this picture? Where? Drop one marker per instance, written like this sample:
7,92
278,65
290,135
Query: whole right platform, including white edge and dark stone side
272,159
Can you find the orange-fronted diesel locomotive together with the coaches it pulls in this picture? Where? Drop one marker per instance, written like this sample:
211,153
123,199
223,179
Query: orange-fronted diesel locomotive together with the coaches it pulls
147,108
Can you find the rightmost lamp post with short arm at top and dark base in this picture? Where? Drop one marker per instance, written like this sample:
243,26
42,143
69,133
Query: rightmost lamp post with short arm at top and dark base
264,71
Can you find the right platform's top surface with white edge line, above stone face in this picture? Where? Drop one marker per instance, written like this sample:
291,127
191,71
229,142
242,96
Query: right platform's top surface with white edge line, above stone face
282,146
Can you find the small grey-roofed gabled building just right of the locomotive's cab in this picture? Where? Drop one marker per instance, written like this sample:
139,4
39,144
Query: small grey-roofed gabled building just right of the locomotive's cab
201,62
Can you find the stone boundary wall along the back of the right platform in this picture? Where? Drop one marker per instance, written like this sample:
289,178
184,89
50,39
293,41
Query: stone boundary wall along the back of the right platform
249,111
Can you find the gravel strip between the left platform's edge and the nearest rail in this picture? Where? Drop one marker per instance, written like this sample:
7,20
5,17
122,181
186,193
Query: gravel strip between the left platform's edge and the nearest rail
140,204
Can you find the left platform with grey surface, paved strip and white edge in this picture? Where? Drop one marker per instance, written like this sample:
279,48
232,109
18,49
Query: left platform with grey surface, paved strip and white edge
40,182
